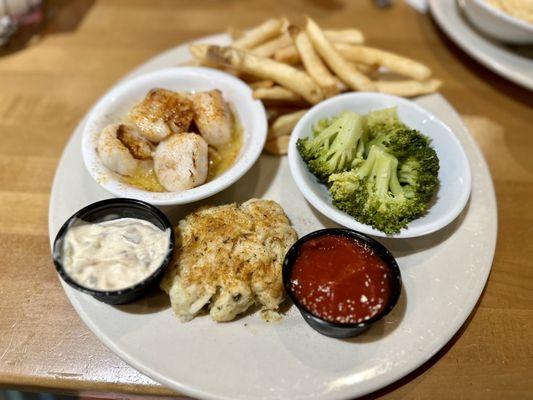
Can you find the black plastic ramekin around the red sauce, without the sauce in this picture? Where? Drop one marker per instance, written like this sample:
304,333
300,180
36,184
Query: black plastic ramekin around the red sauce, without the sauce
334,329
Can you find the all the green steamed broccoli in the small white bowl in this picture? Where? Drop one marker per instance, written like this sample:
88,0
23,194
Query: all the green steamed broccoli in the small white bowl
392,175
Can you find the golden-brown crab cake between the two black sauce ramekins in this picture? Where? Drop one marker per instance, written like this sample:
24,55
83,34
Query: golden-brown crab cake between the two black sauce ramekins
228,258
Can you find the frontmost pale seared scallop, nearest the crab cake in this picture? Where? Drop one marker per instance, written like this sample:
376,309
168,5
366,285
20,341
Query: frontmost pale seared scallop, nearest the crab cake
181,162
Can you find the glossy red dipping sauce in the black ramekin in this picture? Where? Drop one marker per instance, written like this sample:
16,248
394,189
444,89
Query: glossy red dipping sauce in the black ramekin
340,279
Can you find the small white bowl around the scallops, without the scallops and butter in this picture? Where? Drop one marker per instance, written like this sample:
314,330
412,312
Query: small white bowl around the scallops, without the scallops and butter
112,107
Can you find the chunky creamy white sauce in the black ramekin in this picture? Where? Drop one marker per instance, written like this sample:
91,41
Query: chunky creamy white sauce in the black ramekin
115,254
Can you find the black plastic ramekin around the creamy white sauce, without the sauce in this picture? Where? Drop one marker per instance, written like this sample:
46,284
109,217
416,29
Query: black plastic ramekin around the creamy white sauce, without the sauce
107,210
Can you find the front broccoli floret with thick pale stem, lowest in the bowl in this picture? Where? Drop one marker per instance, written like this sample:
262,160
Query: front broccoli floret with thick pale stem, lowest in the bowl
385,192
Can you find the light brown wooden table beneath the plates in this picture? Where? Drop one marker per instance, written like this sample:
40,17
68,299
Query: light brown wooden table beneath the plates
47,85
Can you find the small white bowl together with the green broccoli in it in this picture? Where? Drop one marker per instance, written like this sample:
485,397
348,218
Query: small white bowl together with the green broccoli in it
380,164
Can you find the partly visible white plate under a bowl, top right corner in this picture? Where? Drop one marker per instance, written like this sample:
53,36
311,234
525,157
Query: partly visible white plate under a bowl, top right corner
499,58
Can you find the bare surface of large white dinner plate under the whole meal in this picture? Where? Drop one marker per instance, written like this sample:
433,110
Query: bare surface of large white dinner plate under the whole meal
443,276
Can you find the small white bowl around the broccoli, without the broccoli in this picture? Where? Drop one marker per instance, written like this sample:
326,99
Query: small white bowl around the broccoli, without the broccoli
454,173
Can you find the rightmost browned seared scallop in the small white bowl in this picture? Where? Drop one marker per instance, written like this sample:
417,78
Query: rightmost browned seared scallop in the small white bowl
212,117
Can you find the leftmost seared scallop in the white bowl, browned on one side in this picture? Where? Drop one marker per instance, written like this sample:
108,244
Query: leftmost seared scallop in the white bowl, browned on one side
123,149
